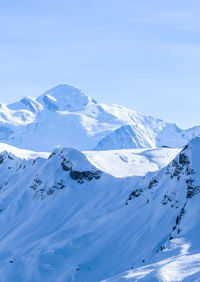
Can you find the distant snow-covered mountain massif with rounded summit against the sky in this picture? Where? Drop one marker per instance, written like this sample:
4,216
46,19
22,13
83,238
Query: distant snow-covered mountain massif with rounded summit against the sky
66,116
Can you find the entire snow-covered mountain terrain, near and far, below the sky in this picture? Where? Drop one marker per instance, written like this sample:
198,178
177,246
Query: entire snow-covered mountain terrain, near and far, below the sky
117,199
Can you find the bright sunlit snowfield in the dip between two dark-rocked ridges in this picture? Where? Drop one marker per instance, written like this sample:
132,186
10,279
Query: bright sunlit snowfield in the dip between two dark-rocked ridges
122,163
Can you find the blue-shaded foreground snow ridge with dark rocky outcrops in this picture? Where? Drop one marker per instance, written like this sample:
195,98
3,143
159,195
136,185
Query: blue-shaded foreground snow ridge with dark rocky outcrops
62,219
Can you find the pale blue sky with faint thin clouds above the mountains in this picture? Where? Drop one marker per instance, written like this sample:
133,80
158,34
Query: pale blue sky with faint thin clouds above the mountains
142,54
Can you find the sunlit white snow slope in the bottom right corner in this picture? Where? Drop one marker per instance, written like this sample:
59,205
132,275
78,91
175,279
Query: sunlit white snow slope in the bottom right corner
181,267
